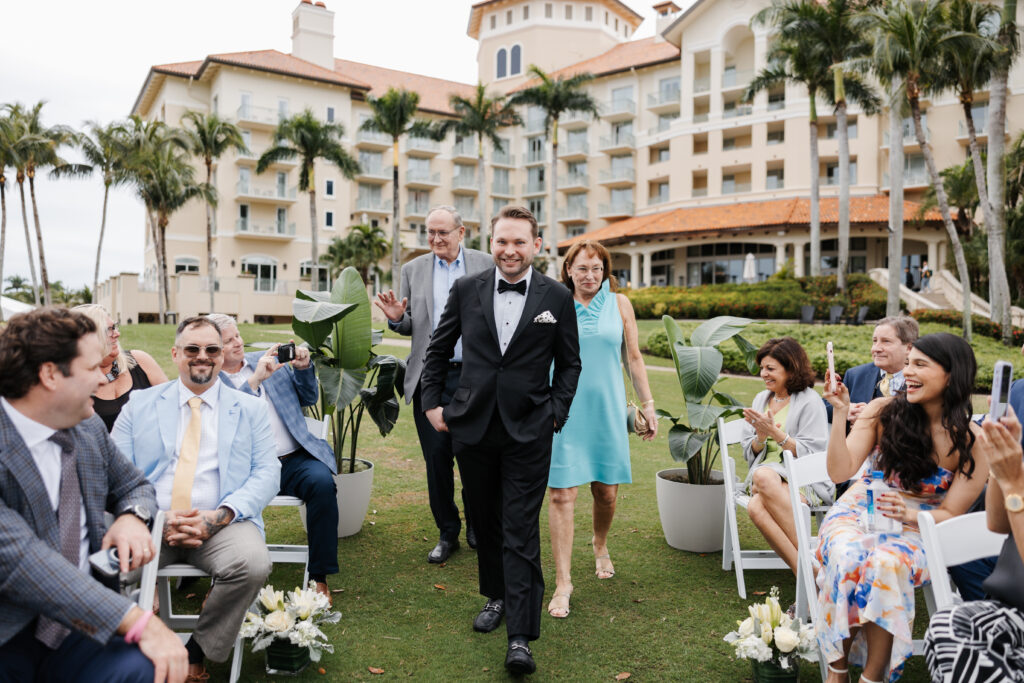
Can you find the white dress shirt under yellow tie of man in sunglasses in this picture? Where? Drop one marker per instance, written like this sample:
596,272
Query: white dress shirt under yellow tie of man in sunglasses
206,486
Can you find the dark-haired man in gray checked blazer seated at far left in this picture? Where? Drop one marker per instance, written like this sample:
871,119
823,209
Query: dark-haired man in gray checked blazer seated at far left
60,473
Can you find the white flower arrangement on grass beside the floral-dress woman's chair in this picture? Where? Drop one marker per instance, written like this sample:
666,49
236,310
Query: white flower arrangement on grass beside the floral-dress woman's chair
769,634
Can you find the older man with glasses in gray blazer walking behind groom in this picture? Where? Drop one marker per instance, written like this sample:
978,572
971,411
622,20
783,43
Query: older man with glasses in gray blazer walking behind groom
425,284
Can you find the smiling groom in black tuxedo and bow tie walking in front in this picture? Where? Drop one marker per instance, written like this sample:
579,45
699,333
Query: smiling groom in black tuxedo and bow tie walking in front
514,323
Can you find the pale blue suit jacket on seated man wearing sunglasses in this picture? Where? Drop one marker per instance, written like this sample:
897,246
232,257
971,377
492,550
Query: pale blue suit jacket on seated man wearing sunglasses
250,473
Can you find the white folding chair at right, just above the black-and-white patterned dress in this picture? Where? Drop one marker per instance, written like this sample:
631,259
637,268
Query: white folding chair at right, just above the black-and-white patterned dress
956,541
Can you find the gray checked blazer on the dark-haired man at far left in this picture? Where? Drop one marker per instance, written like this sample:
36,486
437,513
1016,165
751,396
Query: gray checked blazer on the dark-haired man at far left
35,578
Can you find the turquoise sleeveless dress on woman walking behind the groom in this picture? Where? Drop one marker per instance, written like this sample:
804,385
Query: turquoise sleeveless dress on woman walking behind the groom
594,446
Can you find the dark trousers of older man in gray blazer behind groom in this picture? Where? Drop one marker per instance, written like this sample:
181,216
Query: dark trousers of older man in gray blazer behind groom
440,460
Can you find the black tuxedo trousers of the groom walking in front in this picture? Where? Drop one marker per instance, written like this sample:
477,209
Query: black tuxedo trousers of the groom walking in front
506,483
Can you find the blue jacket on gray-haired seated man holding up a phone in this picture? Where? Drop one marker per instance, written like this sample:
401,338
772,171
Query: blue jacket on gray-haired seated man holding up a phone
289,391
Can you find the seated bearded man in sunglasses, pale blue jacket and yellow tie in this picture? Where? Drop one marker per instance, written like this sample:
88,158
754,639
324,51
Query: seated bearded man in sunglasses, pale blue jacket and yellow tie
210,454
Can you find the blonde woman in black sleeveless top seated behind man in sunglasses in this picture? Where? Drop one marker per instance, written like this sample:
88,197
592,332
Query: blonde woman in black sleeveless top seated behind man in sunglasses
125,371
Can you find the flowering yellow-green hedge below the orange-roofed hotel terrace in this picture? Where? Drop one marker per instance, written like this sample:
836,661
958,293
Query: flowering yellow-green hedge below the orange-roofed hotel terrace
774,298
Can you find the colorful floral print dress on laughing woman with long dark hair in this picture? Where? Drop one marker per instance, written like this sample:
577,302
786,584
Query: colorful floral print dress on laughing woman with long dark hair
866,577
